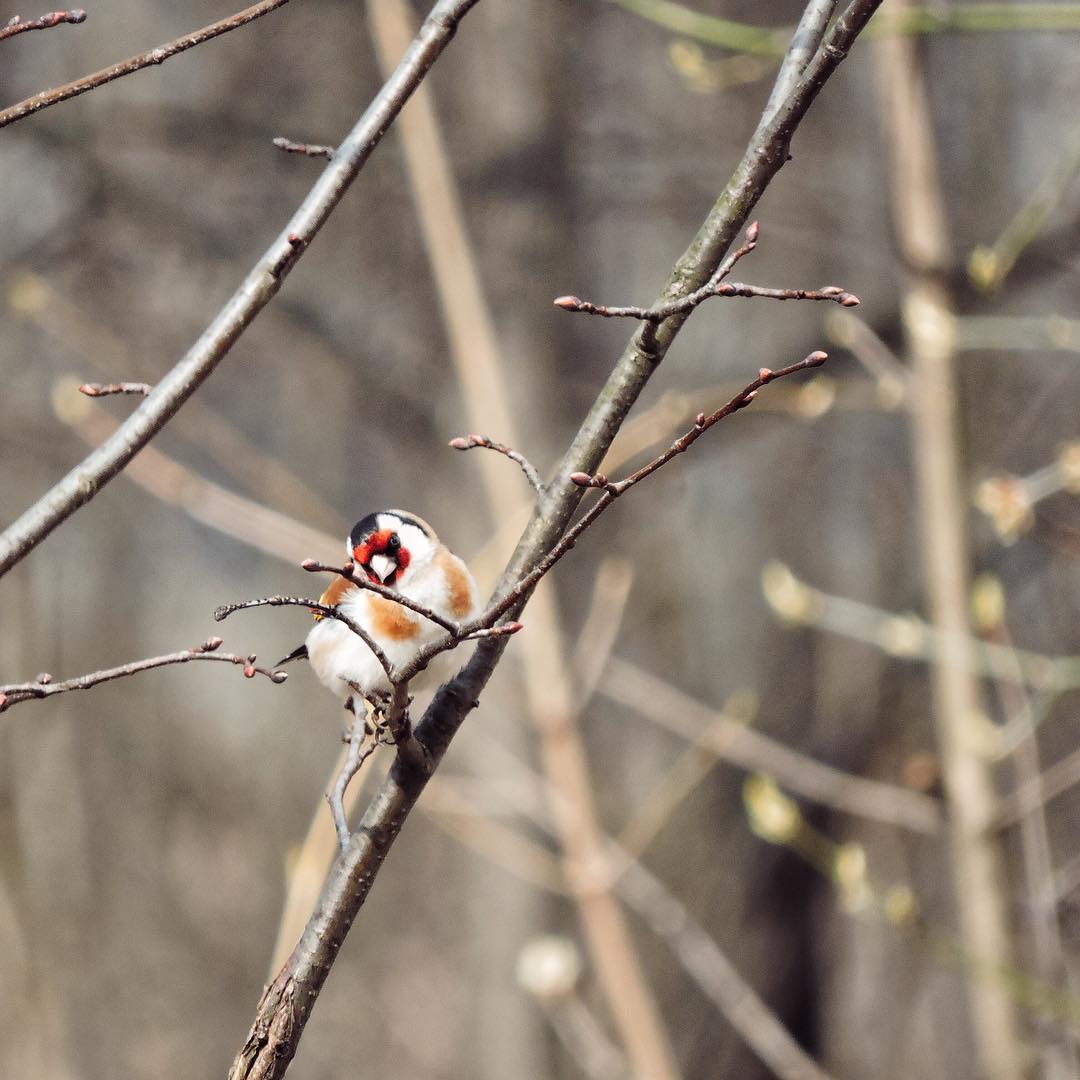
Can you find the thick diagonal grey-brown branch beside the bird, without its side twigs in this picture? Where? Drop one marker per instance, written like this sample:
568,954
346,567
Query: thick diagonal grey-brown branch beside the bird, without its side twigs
287,1004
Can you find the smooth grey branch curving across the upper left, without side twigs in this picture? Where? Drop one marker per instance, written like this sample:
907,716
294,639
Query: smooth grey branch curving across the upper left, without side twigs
258,290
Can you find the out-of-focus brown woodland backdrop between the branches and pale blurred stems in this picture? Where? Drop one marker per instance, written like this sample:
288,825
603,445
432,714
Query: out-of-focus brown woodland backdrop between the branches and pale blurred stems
147,827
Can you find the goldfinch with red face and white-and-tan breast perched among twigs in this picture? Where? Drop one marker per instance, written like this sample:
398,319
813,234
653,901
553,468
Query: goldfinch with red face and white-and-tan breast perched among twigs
401,551
